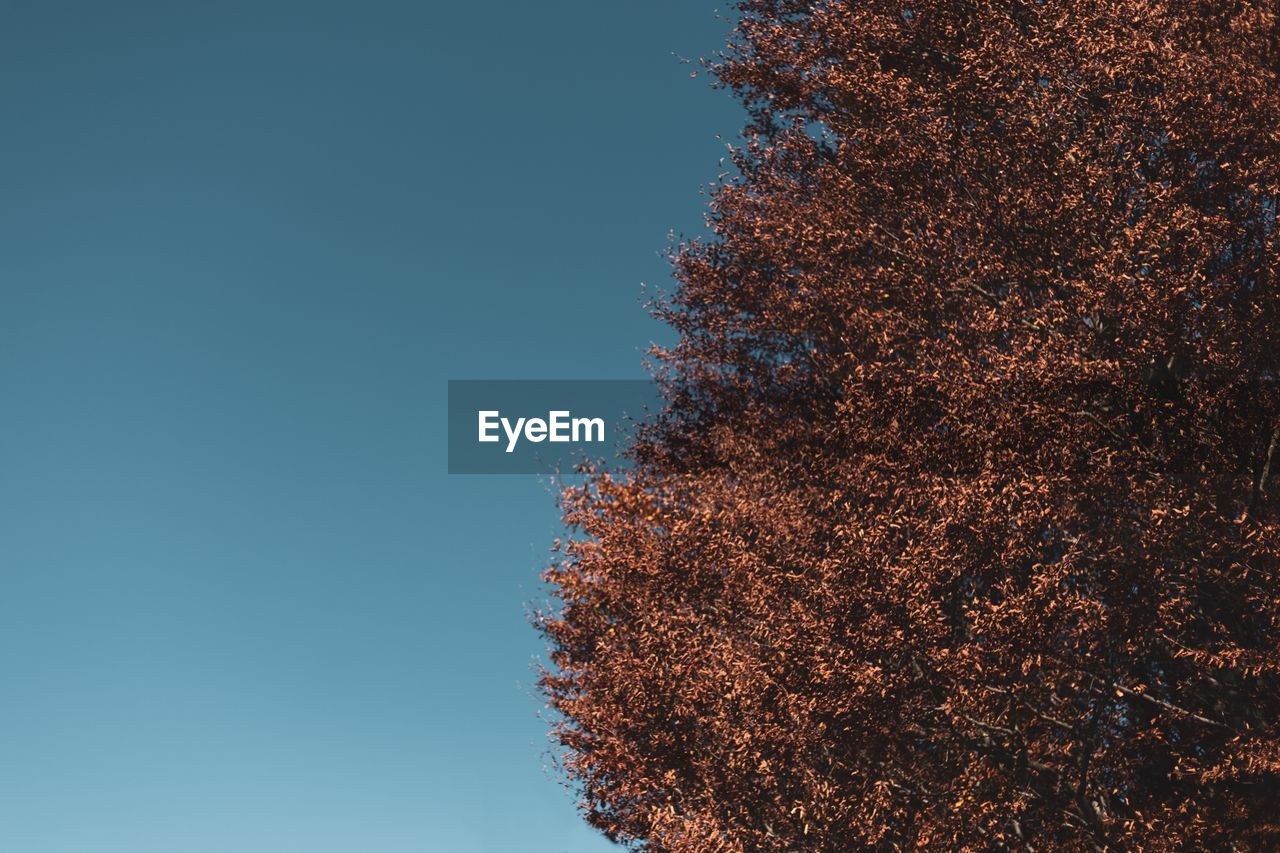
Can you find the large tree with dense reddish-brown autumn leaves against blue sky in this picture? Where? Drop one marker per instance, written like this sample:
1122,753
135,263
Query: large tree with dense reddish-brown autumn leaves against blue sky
959,531
